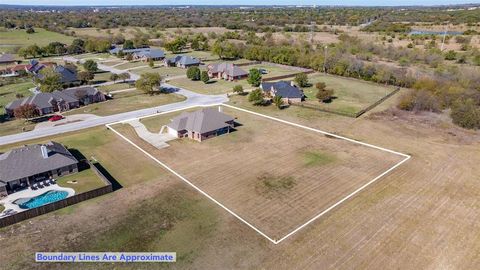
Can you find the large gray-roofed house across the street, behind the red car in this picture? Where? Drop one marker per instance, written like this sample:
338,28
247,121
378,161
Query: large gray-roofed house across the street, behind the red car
58,101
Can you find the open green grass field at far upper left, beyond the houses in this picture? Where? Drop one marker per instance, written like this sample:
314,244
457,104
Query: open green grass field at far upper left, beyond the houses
19,38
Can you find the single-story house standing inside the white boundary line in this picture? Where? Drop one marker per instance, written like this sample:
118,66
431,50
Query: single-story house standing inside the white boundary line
200,125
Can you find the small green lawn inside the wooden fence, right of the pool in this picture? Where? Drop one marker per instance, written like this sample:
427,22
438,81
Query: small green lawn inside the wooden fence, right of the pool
82,181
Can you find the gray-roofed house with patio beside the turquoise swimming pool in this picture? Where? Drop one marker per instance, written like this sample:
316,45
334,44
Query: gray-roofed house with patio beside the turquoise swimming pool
22,167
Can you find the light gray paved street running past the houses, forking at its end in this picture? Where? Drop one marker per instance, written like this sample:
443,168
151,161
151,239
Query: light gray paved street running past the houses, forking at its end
193,99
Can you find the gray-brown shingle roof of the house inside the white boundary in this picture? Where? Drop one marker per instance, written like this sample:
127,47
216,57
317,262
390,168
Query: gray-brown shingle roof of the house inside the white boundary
201,121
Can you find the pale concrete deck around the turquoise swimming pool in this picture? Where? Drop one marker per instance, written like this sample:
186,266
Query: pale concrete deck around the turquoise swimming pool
29,193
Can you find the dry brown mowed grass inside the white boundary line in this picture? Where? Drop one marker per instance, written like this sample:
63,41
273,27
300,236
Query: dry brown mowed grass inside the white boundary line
276,187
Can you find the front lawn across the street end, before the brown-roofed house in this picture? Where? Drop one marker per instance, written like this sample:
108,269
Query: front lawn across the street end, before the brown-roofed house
215,86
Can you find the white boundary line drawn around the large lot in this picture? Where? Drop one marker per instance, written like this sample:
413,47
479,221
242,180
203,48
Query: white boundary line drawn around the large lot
274,241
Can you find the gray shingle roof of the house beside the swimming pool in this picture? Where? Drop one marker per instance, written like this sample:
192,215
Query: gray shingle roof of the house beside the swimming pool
28,160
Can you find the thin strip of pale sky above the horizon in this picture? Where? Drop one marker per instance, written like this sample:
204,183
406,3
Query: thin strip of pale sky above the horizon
239,2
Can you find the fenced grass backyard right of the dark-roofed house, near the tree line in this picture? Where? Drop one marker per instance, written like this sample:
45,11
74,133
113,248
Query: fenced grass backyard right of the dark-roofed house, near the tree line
350,95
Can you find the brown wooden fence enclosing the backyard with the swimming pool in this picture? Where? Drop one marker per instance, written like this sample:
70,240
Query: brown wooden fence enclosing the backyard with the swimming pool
34,212
